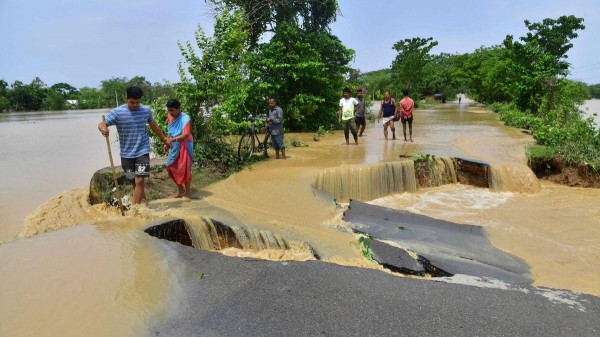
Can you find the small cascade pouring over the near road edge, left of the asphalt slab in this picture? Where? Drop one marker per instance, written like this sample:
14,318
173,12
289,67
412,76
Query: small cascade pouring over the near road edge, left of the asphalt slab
208,234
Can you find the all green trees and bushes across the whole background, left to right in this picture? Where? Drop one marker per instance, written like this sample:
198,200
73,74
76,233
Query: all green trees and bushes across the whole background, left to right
285,49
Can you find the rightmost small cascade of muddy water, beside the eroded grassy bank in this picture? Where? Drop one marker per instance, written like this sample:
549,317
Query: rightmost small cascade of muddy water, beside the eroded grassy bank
513,178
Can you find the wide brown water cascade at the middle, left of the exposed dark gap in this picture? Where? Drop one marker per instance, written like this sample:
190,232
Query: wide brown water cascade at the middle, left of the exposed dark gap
370,182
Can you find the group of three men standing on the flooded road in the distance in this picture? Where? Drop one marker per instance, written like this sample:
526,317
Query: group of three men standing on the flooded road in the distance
351,114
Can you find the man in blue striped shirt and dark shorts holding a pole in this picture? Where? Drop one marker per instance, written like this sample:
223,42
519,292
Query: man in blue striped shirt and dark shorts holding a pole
131,119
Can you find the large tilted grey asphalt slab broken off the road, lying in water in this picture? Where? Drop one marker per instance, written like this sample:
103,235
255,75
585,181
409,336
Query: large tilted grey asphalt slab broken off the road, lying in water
451,247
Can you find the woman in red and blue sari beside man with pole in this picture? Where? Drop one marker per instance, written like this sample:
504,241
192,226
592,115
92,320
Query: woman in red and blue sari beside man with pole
179,161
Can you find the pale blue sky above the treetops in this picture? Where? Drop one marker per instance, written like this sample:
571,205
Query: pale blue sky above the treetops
84,42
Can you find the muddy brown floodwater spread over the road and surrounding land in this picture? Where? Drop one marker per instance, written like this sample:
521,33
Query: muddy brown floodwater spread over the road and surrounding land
75,269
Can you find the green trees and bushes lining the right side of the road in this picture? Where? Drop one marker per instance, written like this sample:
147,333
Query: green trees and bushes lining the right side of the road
523,79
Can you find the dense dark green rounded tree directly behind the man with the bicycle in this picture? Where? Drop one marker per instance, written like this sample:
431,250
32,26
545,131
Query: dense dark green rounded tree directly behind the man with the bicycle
304,71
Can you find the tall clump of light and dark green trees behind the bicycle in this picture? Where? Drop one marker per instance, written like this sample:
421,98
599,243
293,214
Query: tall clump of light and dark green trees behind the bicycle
301,64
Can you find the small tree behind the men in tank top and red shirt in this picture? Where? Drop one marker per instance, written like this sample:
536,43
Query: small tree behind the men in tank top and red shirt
409,65
